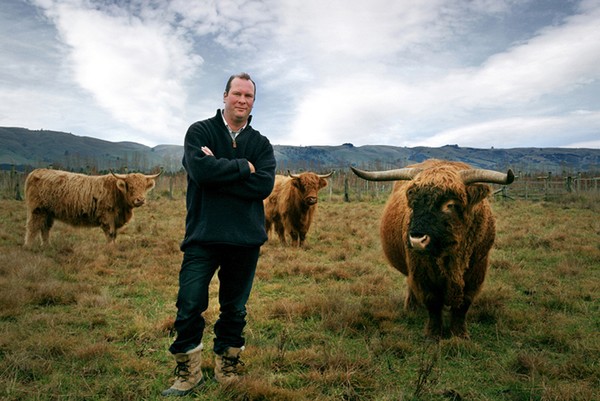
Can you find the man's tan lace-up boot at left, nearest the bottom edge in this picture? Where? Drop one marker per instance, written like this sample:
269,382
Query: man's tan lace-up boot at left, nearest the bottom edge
188,374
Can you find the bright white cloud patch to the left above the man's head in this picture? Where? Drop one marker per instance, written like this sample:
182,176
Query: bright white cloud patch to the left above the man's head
135,69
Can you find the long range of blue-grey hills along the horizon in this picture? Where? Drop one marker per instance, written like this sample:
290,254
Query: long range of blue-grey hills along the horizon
23,148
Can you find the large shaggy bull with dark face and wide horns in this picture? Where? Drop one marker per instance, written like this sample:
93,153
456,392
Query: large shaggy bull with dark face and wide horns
437,229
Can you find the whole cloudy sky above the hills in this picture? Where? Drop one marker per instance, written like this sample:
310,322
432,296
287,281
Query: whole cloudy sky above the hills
472,73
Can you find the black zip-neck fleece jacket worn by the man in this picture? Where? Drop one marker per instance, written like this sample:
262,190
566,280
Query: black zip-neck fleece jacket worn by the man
224,200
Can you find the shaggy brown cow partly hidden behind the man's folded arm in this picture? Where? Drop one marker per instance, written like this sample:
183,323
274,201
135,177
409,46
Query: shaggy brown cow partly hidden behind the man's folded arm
292,204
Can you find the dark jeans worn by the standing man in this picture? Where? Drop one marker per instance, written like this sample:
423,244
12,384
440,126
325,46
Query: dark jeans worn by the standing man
236,274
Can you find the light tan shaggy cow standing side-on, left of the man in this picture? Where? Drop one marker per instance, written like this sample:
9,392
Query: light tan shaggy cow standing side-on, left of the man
80,200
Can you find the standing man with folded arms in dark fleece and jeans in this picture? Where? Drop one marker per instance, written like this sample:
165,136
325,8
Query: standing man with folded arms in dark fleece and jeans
230,170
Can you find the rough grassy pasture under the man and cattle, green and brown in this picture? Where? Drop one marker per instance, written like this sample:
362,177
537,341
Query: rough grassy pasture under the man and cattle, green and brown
81,320
